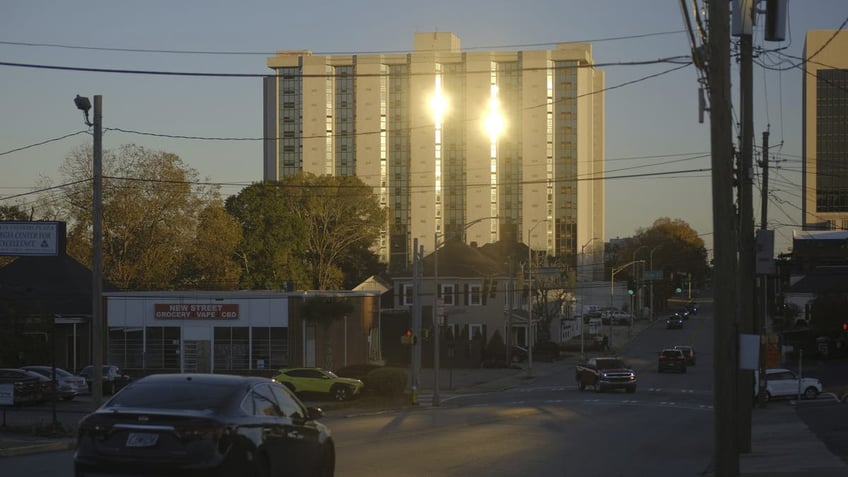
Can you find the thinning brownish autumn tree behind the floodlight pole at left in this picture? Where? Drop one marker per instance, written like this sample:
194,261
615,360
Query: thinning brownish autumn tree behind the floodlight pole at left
151,206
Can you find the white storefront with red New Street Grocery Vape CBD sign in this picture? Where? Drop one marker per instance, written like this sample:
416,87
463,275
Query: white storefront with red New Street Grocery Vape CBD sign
198,331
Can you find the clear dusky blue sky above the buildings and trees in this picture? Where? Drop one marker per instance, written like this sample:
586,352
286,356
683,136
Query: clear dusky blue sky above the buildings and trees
657,152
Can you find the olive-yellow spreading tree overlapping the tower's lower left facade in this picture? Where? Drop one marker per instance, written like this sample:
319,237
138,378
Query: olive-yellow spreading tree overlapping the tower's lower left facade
341,218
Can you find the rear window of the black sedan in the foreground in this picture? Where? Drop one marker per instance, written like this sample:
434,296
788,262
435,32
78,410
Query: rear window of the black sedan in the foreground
174,395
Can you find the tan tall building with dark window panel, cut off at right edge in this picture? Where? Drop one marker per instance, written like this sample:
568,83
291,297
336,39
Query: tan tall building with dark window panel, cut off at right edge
825,182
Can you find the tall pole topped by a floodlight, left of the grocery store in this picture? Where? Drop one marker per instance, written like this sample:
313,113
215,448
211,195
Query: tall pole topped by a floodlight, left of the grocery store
82,103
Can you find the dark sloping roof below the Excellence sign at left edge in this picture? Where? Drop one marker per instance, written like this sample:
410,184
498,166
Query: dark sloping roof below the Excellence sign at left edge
58,285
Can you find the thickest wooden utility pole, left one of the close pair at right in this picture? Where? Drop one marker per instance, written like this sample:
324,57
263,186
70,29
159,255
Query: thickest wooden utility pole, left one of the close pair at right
724,242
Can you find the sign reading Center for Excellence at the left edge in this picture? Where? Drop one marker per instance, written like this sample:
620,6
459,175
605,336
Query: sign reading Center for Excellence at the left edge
32,239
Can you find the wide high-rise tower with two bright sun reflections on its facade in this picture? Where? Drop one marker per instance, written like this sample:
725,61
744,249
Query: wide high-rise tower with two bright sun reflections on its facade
482,146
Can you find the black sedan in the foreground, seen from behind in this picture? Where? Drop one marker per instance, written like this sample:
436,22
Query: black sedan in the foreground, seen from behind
204,424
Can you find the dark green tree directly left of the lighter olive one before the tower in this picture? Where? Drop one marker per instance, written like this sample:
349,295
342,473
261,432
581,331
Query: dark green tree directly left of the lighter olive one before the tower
270,251
